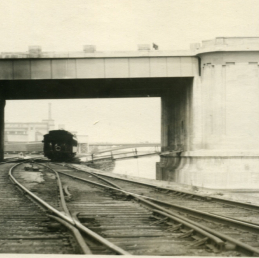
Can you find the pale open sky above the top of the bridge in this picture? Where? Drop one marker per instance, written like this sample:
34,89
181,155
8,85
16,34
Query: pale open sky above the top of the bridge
122,24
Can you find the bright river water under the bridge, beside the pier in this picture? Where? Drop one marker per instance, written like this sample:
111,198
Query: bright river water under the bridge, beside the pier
144,167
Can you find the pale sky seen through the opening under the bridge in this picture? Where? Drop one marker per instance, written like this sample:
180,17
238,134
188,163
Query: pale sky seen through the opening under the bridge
105,120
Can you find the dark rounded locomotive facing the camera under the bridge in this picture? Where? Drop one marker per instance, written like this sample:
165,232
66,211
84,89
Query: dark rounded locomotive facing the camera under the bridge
59,145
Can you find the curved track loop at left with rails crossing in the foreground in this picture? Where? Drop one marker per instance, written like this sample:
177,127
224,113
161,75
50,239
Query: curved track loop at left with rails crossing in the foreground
49,196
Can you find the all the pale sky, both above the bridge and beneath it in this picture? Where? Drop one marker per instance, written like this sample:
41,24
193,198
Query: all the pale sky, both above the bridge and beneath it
67,25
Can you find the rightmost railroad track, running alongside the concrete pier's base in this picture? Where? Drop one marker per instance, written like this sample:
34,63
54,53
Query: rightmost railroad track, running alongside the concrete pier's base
202,204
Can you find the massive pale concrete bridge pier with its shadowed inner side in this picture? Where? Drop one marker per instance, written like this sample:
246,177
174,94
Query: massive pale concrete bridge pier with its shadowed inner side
221,149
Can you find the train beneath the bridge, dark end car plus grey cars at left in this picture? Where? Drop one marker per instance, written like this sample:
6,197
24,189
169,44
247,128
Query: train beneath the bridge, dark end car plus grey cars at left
57,145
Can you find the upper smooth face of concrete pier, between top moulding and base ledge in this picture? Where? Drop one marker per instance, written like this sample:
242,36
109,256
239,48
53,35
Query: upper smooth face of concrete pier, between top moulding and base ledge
230,97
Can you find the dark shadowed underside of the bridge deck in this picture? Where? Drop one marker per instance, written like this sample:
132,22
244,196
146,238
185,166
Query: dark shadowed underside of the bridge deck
91,88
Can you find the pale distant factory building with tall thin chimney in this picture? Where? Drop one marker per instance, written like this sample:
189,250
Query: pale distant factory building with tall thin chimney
28,132
